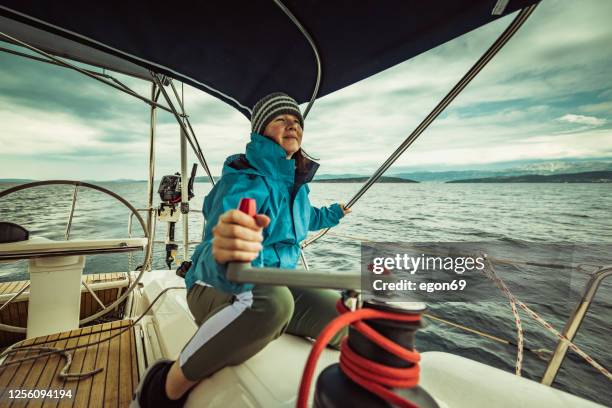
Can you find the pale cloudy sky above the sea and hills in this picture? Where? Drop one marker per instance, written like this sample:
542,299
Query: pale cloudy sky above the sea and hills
546,96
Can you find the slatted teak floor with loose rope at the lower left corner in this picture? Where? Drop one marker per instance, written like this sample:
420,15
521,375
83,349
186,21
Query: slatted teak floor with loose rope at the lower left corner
113,387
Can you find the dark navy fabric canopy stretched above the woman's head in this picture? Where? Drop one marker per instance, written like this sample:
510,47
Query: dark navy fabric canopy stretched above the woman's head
239,51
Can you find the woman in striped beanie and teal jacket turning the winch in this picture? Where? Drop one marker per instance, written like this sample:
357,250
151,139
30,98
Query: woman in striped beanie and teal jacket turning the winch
238,320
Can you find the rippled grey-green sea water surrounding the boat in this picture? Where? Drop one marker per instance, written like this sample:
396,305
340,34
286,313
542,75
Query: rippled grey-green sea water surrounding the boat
515,214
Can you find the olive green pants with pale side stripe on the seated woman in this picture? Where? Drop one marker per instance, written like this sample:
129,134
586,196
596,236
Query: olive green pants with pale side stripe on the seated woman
233,328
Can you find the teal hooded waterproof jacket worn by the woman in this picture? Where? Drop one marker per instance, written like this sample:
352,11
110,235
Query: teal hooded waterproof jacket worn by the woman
280,192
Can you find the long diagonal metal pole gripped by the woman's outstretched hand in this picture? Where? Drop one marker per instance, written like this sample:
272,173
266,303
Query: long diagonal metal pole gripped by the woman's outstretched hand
460,86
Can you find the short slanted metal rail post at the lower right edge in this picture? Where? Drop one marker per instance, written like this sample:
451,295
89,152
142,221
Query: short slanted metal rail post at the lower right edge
573,324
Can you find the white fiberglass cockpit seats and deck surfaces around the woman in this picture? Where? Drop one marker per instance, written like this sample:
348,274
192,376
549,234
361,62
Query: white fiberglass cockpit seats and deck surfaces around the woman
271,378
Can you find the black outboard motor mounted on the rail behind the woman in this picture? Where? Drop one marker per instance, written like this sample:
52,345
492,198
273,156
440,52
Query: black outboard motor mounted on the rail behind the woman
170,194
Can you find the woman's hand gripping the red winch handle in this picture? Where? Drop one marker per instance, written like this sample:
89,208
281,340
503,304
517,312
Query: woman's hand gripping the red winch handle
238,237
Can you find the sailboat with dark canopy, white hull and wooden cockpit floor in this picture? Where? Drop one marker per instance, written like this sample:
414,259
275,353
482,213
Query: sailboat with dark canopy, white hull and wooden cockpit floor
229,51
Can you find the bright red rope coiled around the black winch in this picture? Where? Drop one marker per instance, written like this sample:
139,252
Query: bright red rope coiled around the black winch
372,376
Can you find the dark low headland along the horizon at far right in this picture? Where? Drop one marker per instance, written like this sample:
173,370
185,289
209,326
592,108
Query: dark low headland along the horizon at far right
584,177
